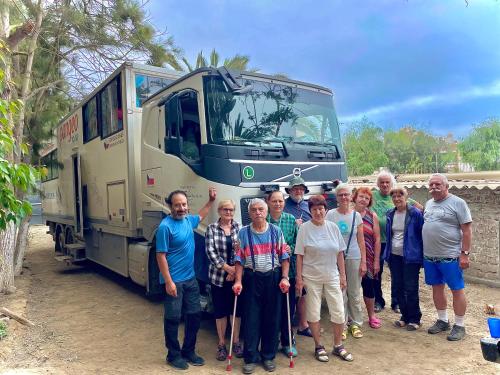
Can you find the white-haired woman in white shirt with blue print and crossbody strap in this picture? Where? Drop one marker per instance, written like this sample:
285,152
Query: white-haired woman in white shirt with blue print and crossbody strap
350,224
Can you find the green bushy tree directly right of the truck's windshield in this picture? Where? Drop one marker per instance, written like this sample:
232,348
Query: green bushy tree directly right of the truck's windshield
364,147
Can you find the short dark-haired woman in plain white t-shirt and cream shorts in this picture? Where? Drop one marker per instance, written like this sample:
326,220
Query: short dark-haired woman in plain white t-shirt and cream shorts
320,270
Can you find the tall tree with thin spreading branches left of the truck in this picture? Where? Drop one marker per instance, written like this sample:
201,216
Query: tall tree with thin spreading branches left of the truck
61,51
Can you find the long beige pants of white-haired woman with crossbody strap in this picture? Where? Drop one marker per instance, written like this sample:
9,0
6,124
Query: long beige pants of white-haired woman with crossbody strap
352,294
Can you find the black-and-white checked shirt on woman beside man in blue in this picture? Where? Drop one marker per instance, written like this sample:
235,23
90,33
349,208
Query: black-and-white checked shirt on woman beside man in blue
216,249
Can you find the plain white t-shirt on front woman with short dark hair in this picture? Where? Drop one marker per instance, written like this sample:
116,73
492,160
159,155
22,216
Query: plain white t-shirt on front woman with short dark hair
320,245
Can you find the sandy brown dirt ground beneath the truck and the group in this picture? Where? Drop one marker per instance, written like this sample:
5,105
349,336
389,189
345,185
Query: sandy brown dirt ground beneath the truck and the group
91,321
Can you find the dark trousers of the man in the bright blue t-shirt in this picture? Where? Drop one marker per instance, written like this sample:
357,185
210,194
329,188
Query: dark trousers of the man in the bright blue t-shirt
187,301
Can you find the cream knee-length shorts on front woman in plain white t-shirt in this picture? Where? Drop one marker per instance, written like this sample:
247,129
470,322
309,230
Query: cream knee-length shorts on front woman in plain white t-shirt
333,295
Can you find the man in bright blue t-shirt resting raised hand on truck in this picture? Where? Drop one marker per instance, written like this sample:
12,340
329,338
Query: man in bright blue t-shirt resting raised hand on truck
175,257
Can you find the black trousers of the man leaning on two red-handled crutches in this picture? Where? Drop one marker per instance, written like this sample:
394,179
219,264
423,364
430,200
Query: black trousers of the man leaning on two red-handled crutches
262,312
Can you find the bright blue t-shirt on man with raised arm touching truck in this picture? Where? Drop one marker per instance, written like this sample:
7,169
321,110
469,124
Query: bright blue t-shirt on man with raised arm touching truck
176,239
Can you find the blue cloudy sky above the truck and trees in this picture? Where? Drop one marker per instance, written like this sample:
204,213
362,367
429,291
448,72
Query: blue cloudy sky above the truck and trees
433,64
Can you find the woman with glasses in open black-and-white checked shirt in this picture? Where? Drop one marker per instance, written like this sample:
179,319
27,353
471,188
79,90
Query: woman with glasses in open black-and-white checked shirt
219,239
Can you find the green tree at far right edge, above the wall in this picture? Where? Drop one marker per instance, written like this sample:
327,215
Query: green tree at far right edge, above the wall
482,147
